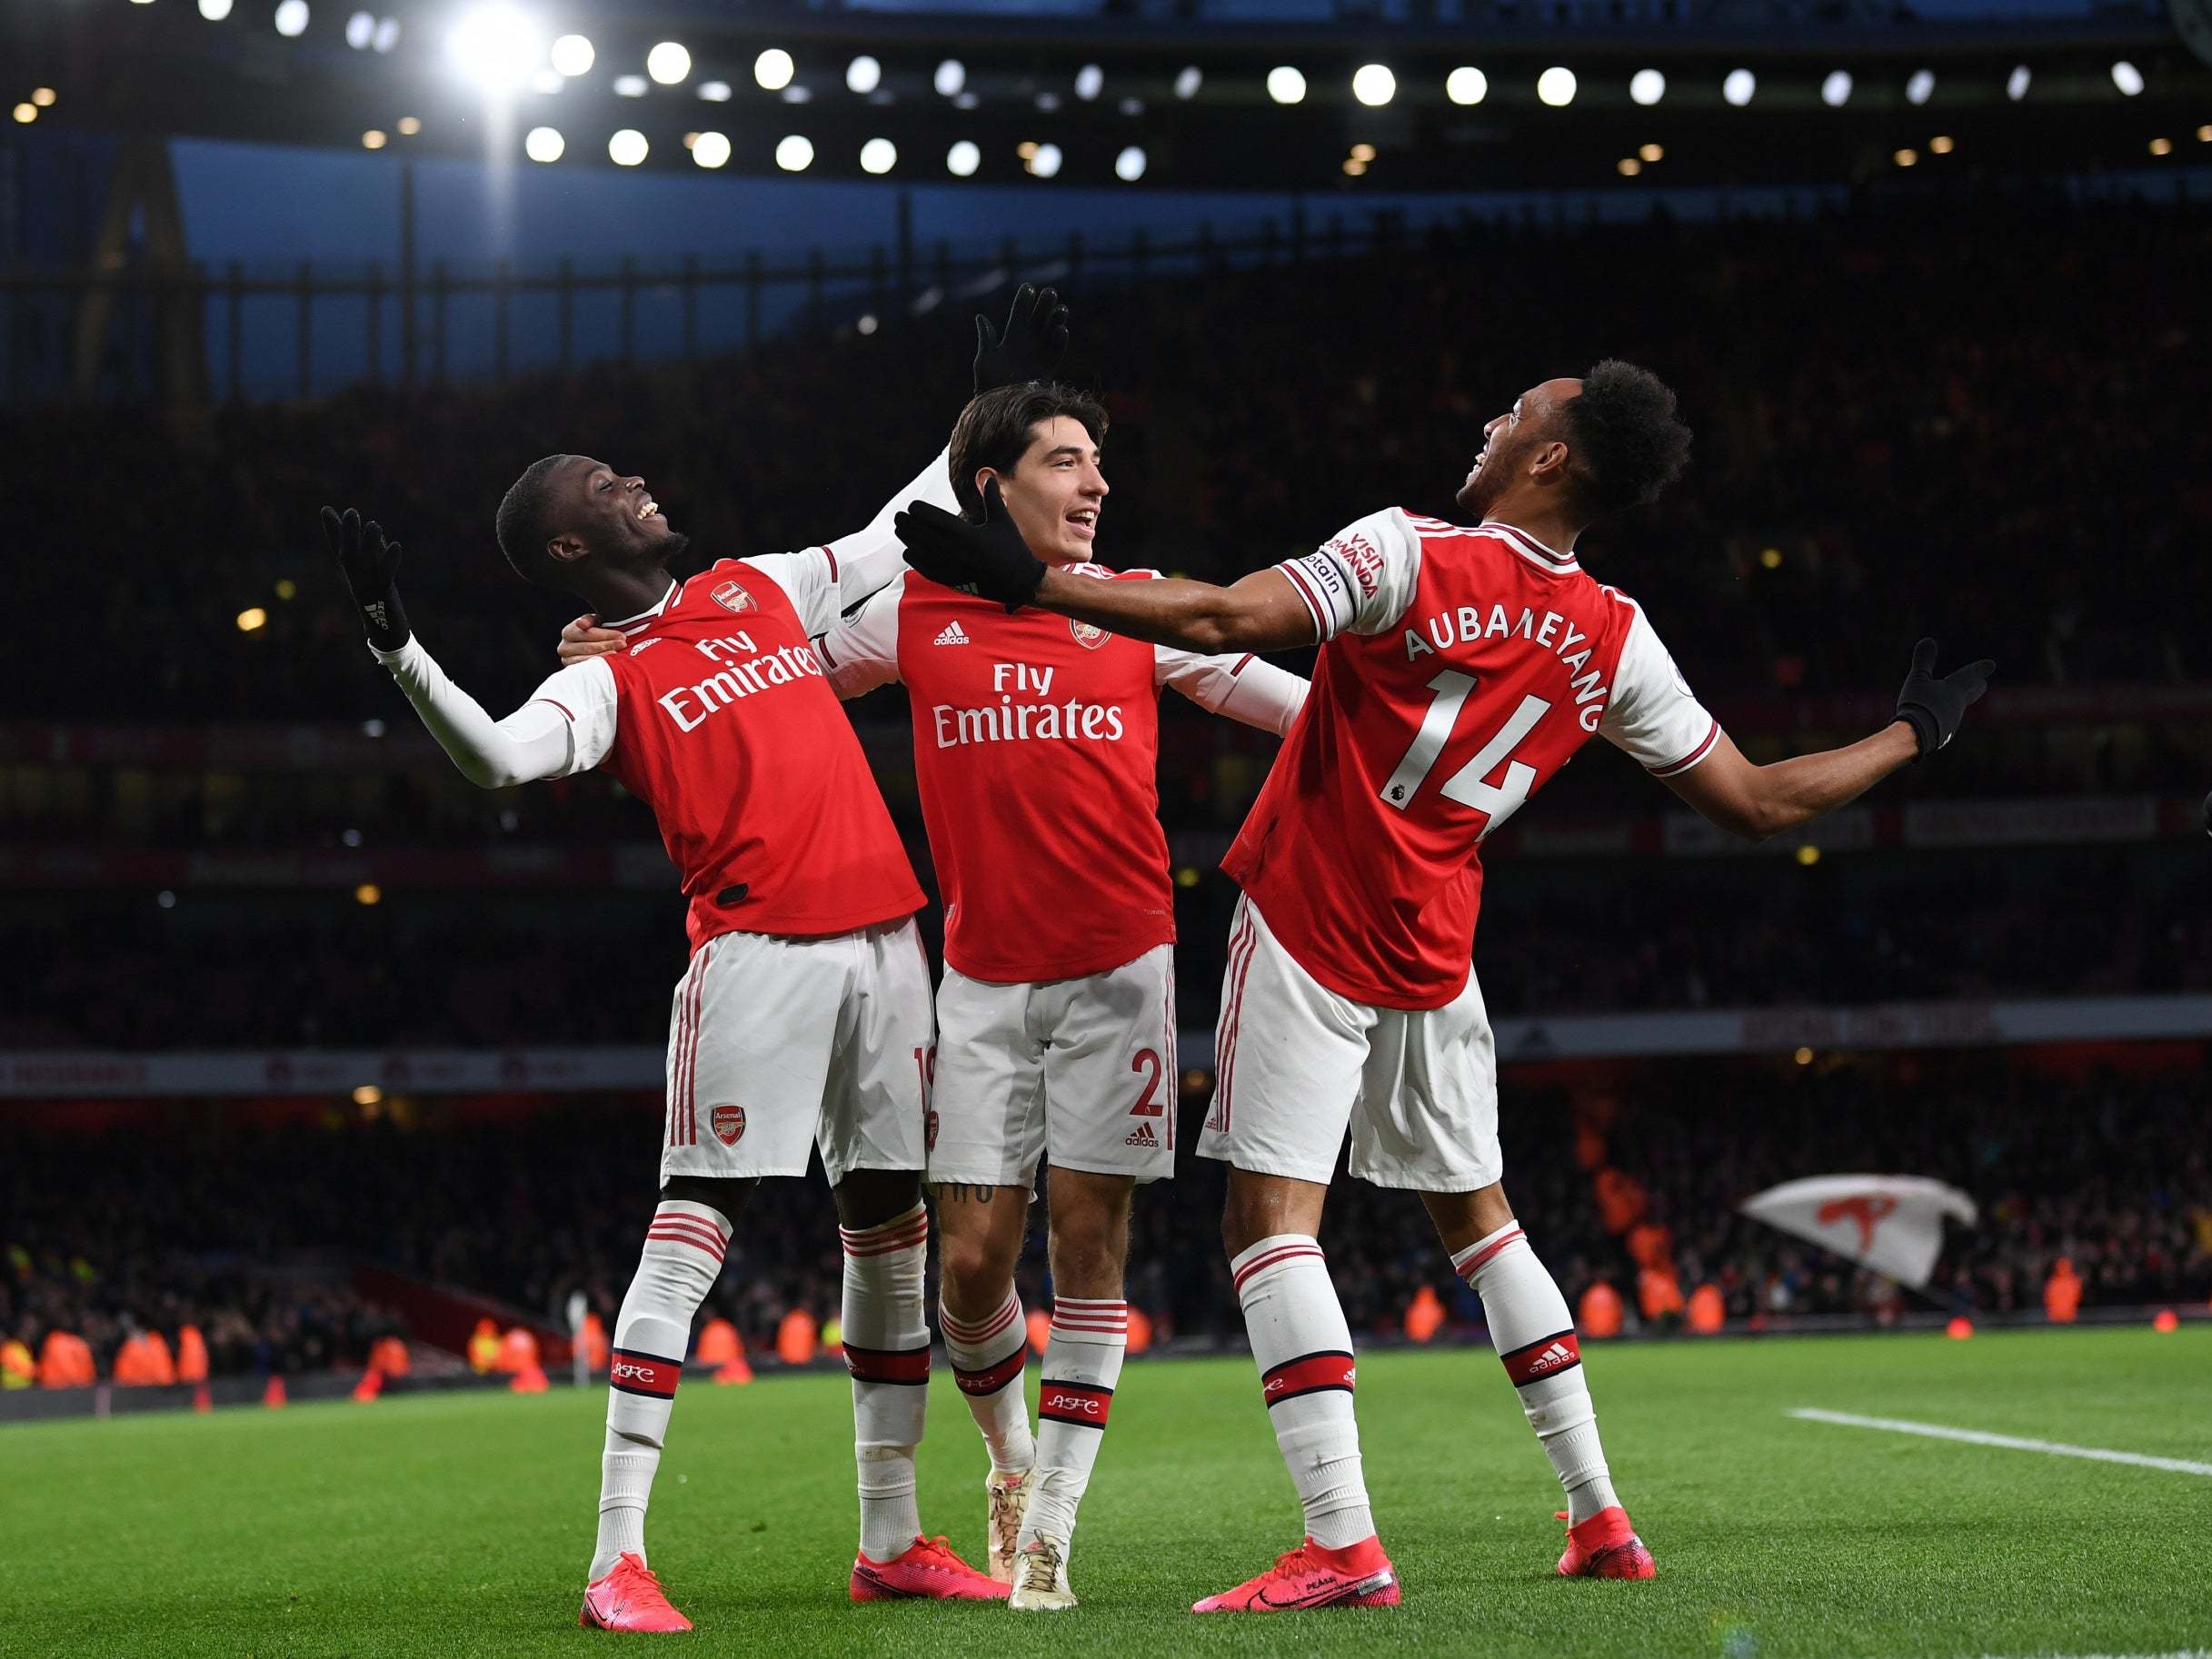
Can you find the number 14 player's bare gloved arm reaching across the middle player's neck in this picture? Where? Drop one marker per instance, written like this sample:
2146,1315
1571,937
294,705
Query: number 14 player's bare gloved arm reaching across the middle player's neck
990,559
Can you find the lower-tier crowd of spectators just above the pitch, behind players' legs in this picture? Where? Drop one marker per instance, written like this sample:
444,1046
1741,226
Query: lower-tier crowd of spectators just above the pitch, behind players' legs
2109,1173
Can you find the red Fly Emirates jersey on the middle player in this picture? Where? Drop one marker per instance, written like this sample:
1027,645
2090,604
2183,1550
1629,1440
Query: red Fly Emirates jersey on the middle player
1036,749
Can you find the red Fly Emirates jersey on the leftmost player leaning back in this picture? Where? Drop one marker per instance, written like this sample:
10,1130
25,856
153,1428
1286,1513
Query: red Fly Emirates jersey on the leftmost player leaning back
722,722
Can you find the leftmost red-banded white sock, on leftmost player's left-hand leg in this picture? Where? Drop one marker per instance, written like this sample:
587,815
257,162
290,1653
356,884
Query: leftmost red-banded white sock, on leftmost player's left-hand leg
678,1269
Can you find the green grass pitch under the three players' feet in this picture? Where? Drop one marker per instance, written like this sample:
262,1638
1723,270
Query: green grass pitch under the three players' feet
461,1525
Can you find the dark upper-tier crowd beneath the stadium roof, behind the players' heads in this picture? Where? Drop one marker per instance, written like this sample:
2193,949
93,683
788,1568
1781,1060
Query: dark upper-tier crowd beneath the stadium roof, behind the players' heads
2032,490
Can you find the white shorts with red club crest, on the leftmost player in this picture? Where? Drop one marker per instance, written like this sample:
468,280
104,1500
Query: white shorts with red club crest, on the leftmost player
780,1045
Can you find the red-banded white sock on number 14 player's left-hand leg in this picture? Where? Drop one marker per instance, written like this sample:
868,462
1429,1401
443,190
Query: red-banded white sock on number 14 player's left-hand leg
1304,1355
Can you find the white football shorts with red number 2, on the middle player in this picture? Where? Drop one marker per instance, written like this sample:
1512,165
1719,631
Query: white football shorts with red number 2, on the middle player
1083,1067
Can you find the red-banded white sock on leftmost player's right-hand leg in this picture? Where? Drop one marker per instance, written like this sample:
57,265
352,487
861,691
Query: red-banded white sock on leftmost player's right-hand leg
888,1355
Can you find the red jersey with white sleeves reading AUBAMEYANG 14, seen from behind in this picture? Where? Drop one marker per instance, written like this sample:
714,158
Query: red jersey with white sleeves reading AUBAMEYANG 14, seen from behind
1459,671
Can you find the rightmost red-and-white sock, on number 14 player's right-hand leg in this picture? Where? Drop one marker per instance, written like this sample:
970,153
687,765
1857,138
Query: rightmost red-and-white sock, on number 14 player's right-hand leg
1536,1339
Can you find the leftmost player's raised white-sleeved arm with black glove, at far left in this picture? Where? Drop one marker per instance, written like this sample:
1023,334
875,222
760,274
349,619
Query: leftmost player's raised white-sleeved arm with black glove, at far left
530,744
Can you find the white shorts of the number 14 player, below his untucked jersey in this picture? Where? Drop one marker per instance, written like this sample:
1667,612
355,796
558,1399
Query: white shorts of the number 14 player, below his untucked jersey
1297,1065
